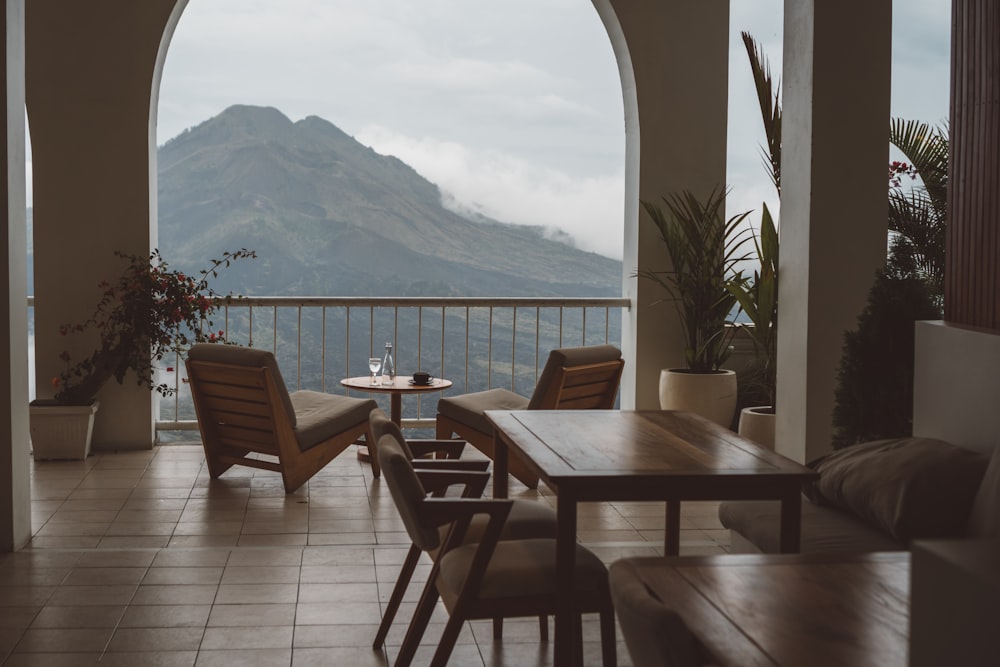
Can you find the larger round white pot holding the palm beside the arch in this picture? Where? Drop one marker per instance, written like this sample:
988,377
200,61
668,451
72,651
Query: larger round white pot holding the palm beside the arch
711,395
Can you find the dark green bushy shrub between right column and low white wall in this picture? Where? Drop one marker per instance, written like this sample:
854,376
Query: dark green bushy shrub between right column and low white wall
874,397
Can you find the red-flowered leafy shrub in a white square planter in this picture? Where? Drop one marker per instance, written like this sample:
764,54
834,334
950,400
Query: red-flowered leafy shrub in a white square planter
148,312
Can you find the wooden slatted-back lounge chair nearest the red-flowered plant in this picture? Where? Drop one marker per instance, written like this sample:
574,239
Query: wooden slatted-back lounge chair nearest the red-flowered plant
244,411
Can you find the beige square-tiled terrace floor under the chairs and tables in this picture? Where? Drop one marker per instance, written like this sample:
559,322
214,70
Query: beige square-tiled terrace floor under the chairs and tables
140,559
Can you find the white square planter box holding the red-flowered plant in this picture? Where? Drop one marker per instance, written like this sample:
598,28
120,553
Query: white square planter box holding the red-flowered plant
61,431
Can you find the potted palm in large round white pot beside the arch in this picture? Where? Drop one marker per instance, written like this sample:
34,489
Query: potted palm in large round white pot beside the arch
703,248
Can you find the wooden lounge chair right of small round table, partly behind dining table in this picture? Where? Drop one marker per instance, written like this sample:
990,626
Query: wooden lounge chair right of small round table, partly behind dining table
574,378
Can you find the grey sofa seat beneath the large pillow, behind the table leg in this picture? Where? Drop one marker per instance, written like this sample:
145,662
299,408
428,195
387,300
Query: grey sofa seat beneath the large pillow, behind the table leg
824,529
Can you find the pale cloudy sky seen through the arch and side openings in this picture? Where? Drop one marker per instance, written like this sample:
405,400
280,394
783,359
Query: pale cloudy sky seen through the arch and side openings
512,107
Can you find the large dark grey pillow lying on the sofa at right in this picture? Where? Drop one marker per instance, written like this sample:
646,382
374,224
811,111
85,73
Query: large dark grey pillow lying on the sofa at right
908,487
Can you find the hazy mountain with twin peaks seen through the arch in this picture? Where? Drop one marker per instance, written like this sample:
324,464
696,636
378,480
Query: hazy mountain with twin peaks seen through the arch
329,216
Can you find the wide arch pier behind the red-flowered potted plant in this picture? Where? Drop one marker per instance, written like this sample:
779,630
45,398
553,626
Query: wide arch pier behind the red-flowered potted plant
93,159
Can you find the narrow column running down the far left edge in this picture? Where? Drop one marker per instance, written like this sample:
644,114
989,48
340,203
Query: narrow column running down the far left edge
15,486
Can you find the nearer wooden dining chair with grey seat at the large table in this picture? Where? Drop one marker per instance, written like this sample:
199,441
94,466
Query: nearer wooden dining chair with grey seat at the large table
489,578
